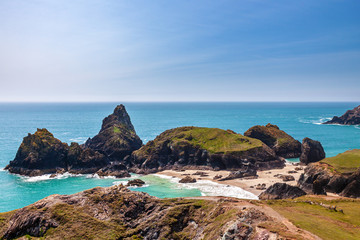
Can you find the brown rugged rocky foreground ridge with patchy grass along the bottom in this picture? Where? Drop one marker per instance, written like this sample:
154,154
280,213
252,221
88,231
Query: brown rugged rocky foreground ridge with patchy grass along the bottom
118,213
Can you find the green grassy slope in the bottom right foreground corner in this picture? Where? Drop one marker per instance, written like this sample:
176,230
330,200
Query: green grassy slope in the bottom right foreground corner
322,220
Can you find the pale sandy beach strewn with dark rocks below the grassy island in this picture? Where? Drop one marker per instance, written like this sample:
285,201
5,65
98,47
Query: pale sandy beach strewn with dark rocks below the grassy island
267,177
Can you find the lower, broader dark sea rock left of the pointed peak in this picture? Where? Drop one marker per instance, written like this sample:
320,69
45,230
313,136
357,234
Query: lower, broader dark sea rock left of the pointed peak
42,153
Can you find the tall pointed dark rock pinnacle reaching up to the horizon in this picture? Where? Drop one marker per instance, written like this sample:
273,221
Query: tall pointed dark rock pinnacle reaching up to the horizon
117,137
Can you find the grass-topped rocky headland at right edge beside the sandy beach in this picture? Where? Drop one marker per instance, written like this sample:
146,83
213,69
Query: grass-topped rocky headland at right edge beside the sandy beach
339,174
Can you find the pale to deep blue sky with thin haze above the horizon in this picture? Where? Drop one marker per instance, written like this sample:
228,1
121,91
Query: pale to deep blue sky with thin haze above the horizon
180,50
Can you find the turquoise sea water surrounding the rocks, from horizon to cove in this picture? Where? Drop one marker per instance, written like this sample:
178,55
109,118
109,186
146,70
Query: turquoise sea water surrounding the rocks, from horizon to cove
77,122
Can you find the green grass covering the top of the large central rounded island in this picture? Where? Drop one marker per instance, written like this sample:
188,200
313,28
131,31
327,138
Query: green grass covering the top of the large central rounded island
214,140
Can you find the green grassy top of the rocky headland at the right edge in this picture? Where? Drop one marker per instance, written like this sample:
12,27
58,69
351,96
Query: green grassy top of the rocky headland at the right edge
345,162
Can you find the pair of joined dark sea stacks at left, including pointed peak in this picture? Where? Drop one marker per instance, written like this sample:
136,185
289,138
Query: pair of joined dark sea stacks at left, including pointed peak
106,154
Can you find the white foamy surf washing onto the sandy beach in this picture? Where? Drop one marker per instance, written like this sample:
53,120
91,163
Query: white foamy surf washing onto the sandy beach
209,188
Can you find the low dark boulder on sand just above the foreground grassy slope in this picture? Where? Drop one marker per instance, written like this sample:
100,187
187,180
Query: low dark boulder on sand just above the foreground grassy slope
281,191
